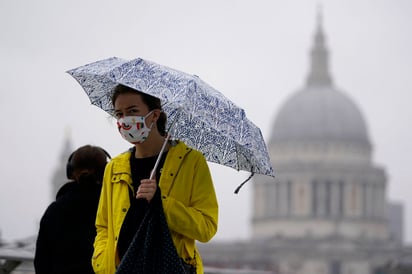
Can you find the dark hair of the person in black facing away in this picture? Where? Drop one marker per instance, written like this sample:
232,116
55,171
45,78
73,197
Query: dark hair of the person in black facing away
87,163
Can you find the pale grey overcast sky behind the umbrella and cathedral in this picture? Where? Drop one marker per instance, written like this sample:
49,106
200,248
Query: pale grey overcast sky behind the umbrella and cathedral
255,52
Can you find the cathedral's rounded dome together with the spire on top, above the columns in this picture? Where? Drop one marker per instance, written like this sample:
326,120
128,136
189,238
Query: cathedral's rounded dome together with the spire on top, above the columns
319,113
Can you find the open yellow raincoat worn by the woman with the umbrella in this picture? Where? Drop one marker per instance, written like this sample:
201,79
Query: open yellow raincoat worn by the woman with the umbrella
189,203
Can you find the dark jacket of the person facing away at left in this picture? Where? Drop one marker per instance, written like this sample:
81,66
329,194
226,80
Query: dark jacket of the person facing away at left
67,231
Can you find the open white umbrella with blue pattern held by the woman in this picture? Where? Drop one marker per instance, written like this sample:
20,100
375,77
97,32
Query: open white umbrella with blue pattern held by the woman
197,113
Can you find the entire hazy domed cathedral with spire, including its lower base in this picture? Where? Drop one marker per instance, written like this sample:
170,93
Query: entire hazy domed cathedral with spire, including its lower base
326,211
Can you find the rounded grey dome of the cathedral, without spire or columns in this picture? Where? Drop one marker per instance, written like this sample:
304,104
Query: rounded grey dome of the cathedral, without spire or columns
320,114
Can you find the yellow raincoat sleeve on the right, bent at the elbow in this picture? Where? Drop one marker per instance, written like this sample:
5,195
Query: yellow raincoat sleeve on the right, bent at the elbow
191,209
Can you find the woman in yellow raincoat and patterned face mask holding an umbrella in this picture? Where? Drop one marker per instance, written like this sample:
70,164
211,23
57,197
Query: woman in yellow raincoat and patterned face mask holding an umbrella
183,178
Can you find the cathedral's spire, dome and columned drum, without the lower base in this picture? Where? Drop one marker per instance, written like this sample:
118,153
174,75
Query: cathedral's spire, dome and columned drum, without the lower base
327,185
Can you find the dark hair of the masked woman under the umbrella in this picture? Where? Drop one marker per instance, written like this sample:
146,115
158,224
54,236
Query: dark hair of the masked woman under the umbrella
151,102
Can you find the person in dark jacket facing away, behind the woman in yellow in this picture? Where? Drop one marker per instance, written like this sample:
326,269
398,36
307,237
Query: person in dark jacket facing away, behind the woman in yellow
67,228
